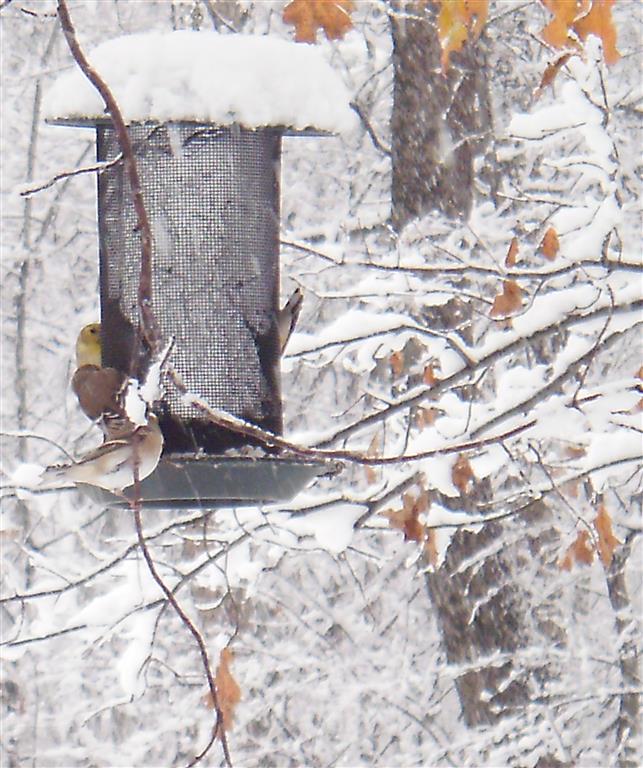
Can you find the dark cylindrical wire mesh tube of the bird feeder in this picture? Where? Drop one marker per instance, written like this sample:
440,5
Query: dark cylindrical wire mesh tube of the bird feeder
212,197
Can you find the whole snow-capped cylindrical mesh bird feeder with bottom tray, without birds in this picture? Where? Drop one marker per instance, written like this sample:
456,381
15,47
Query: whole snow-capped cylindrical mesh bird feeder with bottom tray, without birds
206,114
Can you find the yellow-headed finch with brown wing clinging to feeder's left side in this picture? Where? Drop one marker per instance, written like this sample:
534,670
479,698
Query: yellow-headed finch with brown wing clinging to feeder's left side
99,389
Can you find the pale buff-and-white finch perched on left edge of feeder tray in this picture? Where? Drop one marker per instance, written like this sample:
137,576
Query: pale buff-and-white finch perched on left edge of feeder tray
111,465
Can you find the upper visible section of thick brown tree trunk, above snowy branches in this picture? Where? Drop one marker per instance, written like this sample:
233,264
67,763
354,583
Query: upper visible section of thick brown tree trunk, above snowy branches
439,121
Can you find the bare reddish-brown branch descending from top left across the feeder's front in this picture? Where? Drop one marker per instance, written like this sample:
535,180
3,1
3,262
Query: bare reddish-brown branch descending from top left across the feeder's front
148,324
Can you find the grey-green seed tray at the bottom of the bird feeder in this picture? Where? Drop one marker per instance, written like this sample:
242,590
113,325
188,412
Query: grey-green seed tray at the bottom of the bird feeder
221,481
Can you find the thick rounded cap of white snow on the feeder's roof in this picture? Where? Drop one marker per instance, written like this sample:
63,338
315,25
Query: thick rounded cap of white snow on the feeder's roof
206,77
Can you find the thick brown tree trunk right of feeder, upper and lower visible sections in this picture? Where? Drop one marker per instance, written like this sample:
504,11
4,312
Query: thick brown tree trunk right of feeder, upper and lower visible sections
440,122
